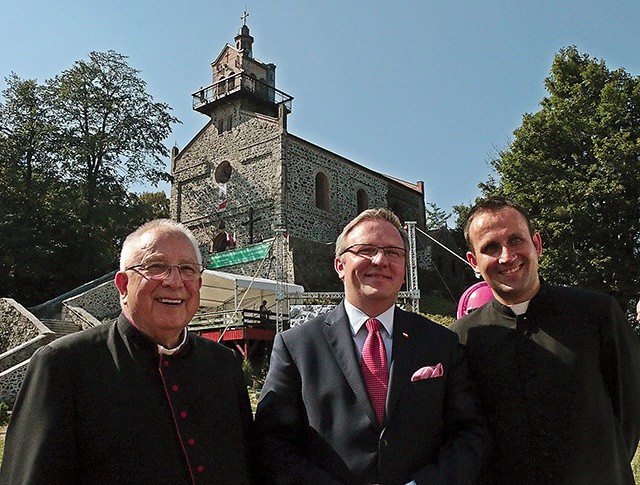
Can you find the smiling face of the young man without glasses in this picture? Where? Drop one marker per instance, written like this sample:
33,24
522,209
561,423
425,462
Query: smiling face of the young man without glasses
505,254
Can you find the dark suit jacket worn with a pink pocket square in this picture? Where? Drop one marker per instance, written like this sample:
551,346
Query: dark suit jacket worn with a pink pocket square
316,424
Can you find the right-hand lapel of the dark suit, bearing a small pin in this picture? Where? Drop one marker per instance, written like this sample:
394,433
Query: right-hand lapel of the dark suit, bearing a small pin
402,356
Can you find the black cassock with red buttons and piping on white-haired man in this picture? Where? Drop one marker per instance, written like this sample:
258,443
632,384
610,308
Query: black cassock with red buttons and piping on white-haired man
103,406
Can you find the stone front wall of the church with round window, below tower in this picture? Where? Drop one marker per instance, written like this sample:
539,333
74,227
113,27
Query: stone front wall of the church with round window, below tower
252,149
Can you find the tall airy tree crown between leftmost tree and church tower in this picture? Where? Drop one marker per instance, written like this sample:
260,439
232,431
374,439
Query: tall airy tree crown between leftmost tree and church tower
111,130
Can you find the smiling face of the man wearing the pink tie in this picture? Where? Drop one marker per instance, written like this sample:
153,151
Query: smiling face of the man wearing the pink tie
372,285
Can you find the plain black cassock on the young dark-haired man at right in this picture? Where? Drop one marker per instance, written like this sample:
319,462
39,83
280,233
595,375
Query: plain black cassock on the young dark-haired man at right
560,385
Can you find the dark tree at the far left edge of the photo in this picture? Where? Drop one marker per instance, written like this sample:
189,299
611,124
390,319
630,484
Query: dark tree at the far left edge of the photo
36,205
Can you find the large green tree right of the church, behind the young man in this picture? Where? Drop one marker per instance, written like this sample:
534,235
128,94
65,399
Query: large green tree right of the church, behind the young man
573,166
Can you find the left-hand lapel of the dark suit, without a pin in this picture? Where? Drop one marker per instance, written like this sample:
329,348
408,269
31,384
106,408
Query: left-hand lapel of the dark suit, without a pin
340,340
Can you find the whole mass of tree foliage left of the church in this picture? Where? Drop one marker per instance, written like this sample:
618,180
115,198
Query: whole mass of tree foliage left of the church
69,149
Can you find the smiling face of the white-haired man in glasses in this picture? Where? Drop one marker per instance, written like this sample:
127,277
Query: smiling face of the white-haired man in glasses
160,308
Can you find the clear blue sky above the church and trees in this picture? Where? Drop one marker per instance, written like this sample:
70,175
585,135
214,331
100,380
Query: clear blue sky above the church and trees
420,90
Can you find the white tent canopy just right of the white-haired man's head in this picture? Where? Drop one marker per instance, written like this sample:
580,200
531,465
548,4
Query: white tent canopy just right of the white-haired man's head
227,291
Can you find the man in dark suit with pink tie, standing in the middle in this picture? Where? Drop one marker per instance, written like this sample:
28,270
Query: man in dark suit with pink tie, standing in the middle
318,419
